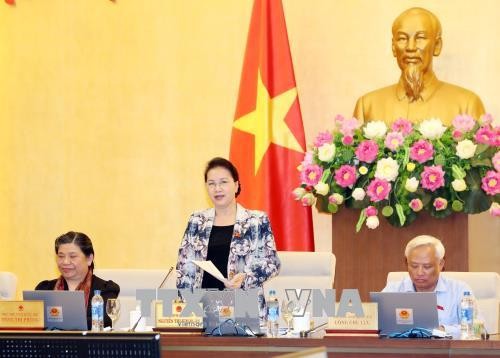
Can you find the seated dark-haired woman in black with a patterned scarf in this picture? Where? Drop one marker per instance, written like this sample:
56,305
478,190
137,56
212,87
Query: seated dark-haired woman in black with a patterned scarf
75,261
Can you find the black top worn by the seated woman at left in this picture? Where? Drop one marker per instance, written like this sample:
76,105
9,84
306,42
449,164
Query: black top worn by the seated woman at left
109,289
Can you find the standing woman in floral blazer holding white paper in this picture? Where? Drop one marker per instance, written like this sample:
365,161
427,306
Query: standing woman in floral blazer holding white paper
238,241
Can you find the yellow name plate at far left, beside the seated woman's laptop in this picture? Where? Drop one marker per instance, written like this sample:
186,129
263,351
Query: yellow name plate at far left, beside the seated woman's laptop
21,315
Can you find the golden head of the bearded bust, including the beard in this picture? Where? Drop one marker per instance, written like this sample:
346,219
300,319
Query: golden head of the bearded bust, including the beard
416,38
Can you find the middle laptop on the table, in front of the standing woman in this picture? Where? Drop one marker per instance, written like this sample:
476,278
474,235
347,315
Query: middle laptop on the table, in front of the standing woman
221,318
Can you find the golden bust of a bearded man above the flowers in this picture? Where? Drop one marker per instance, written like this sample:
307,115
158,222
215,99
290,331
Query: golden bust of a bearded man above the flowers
419,95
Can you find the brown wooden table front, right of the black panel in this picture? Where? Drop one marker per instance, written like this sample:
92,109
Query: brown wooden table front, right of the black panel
173,345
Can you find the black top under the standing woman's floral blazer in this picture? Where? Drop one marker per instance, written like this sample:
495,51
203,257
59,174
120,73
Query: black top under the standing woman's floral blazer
218,252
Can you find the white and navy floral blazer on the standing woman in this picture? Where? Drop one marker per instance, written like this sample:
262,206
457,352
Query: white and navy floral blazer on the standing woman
252,249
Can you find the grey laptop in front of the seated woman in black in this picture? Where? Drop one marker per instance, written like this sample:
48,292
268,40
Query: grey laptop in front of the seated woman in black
64,310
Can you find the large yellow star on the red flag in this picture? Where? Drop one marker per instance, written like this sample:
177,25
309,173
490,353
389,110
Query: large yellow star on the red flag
267,121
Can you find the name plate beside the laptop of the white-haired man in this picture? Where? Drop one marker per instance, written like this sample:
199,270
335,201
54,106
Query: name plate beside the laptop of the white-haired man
367,323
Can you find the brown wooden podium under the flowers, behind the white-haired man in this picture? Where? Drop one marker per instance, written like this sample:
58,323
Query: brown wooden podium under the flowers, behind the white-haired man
365,258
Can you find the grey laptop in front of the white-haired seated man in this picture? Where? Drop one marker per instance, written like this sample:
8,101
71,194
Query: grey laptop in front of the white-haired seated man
402,311
